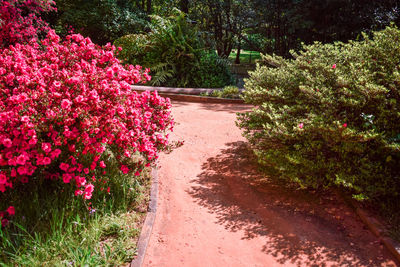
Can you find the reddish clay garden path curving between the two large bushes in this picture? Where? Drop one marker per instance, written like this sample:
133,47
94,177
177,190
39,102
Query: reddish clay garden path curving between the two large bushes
216,209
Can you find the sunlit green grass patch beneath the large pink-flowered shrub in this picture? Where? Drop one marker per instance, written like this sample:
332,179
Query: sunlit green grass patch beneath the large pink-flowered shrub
68,234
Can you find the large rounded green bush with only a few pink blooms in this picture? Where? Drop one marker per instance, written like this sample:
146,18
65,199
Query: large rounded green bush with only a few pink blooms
330,117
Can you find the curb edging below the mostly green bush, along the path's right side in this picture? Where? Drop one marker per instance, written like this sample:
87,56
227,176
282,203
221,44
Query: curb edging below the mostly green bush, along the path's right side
376,228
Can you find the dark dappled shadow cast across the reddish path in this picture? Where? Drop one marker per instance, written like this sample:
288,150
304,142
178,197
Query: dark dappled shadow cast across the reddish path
307,229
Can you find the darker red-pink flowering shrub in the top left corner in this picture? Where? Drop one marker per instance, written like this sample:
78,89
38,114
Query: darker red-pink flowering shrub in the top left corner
20,21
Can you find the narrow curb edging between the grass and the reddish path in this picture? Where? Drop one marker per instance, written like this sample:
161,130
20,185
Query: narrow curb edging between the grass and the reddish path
147,228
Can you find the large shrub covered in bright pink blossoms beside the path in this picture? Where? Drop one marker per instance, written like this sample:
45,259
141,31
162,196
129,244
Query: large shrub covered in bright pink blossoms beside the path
67,111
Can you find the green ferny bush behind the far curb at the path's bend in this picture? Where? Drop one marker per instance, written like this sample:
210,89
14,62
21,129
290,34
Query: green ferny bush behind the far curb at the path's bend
175,54
